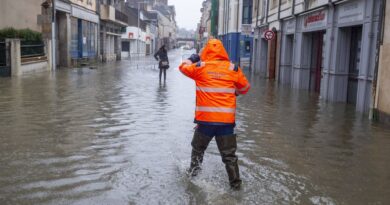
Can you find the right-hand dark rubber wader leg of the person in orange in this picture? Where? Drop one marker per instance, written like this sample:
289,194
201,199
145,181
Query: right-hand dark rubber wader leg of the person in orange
227,146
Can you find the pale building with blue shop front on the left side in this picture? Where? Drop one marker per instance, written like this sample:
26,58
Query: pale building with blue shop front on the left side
77,25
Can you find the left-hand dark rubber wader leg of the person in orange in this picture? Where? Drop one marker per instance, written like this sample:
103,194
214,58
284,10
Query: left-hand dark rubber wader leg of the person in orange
199,145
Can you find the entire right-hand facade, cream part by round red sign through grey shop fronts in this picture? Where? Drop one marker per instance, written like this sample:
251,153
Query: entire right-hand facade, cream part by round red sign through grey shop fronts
324,46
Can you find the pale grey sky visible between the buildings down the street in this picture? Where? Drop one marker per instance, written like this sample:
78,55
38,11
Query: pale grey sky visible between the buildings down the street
187,12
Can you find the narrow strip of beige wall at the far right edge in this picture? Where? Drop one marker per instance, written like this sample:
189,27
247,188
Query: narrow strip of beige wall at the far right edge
383,94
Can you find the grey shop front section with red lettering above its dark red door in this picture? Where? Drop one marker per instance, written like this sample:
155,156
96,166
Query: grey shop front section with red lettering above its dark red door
309,51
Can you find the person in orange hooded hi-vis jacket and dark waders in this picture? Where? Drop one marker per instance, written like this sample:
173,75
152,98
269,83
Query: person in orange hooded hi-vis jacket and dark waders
218,82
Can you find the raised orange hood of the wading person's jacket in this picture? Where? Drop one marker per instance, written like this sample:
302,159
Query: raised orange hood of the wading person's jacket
214,50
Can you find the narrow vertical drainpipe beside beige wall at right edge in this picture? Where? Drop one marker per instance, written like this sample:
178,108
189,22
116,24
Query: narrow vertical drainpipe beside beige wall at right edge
375,83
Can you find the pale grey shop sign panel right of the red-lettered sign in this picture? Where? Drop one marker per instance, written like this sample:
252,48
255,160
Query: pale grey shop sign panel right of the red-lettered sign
351,12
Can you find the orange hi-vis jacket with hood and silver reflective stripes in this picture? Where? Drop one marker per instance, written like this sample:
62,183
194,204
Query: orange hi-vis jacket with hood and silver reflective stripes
217,84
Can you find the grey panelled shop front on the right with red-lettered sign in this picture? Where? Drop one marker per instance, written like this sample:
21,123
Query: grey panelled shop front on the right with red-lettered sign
332,51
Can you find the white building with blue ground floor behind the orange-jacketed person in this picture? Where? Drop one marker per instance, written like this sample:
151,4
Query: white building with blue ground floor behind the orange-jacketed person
235,17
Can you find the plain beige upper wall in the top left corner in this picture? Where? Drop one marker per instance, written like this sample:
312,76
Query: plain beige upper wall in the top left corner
11,10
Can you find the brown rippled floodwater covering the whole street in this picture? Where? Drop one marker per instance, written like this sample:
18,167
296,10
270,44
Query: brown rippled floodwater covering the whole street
114,135
